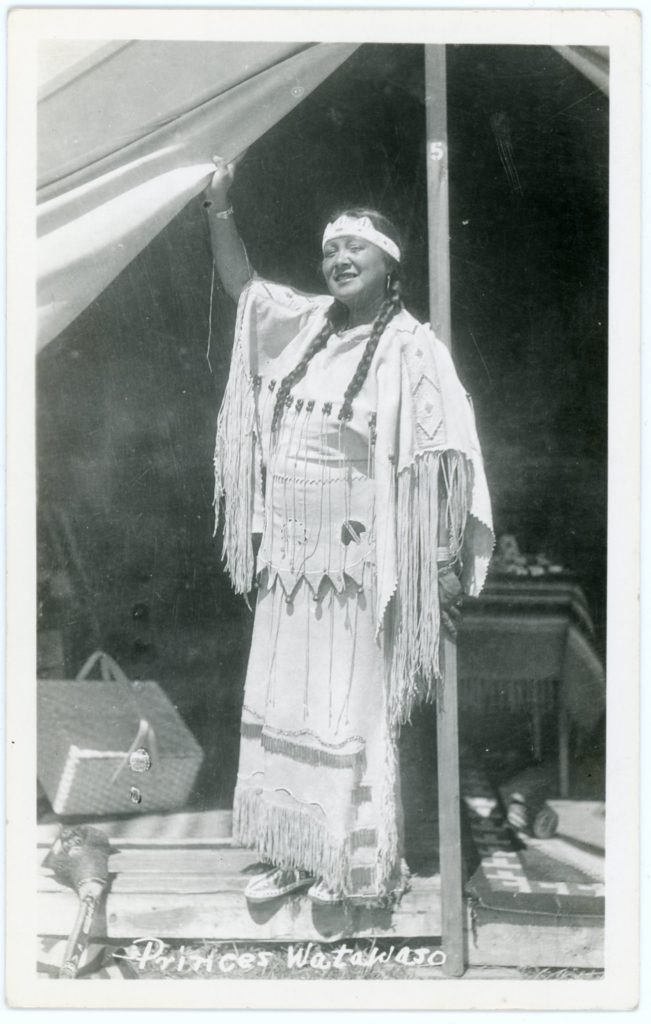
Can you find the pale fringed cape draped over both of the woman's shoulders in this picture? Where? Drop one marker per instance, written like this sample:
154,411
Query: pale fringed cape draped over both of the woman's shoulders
427,456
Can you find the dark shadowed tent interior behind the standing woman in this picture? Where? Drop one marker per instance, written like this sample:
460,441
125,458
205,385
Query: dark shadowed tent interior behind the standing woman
128,395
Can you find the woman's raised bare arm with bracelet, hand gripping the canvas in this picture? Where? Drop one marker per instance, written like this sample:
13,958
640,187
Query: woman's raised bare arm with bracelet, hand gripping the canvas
229,251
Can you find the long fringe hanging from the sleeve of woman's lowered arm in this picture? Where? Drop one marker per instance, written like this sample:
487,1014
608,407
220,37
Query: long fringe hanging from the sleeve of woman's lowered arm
415,673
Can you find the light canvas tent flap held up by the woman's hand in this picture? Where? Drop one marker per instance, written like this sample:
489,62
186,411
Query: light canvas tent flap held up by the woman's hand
112,182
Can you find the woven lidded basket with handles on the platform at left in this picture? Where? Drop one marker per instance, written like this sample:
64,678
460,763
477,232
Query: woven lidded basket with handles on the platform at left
113,746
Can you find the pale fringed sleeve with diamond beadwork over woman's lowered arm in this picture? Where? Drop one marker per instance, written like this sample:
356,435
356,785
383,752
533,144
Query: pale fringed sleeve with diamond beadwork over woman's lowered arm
428,460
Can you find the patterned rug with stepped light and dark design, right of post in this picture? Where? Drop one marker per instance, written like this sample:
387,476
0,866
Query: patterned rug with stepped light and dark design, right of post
513,873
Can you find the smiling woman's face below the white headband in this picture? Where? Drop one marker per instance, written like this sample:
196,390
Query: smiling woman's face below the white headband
356,272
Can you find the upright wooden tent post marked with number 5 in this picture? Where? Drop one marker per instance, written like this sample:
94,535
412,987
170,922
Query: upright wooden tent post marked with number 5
448,713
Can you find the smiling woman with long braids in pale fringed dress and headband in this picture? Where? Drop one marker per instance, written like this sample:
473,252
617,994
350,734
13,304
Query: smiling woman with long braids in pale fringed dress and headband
346,441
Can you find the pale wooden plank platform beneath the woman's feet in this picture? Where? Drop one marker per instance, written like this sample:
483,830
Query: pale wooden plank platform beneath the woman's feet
193,888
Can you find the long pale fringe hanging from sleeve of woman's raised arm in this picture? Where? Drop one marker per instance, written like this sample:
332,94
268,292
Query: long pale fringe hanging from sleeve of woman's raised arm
235,452
